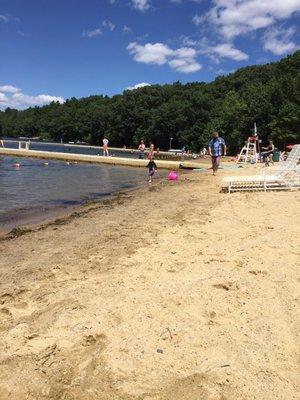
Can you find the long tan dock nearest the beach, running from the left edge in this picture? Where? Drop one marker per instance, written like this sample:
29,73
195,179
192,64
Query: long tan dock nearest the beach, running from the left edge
122,161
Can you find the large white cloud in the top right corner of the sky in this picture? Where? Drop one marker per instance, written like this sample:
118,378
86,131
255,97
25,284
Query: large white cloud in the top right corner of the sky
236,17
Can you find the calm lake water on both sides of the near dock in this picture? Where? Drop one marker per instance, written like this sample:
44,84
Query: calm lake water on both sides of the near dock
35,191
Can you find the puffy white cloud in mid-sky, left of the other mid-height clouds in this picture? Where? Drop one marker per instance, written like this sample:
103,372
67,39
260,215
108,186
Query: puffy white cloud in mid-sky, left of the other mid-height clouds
181,60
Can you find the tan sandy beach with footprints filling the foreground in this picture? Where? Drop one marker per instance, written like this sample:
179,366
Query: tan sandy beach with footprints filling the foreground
172,292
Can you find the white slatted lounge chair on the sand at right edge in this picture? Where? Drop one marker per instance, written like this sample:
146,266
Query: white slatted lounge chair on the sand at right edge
286,176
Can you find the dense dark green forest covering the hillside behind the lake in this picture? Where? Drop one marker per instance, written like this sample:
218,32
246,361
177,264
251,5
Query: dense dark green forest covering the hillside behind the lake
266,94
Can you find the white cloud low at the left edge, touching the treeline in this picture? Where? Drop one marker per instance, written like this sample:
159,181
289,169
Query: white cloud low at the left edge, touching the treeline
16,99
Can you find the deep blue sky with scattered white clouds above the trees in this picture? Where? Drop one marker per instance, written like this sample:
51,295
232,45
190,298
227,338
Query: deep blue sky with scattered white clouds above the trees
62,48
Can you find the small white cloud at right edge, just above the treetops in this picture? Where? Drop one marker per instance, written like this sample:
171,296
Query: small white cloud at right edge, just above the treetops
278,41
